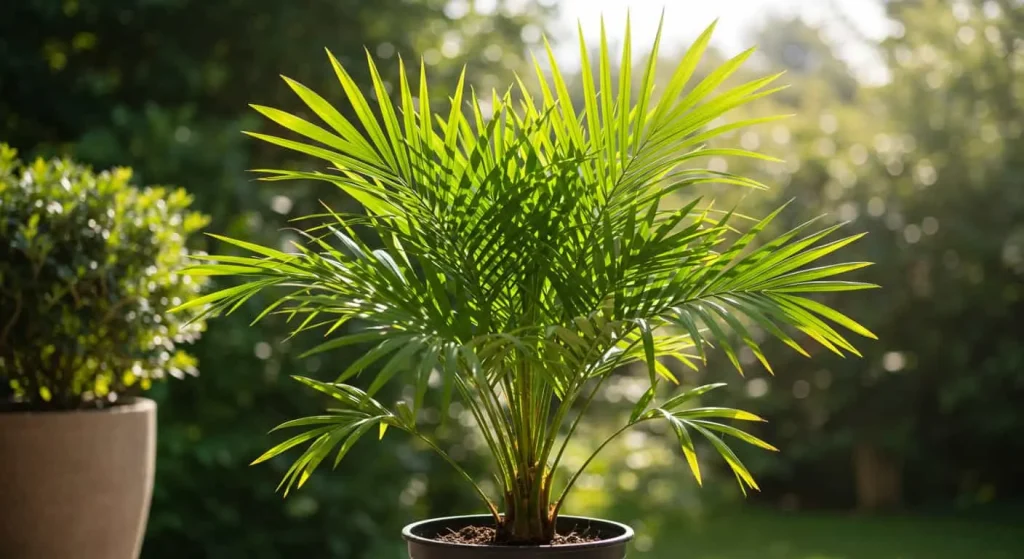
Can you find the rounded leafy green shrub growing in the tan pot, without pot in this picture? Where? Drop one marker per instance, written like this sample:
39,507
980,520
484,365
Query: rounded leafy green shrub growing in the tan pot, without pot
89,271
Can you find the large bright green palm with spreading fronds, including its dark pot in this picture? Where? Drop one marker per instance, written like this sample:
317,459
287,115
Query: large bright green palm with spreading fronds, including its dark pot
515,253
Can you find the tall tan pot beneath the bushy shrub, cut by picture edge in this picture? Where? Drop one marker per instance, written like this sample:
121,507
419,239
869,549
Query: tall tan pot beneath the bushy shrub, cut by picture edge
76,485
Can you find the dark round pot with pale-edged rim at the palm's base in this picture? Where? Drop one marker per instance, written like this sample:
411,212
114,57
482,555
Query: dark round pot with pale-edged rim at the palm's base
612,544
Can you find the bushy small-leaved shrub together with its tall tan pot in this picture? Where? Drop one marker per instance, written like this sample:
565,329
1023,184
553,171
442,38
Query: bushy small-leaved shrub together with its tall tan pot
90,268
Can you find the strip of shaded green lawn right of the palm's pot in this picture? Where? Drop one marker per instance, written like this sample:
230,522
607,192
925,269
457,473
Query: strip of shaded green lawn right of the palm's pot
774,535
